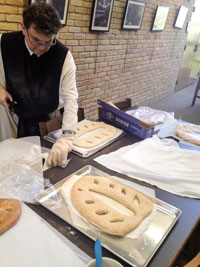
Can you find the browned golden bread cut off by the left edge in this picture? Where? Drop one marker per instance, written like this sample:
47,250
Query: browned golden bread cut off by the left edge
10,211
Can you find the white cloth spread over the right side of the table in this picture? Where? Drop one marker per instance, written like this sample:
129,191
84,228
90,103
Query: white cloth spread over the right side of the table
158,162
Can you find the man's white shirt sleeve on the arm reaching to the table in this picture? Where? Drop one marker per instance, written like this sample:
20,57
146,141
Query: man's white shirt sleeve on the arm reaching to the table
69,94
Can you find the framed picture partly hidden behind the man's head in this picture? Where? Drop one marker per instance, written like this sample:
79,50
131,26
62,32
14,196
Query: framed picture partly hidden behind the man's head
60,5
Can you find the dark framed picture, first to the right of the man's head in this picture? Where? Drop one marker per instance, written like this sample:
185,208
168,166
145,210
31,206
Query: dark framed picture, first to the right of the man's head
101,15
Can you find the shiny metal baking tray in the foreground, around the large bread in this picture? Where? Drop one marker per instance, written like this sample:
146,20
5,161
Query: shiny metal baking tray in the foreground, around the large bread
136,252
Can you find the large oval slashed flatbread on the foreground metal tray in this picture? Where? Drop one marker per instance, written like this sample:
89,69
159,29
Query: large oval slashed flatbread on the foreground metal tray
104,216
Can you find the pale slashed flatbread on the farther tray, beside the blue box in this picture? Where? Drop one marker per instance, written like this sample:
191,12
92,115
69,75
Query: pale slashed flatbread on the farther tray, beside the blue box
103,133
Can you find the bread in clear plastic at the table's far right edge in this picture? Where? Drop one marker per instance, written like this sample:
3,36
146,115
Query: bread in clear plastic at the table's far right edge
189,132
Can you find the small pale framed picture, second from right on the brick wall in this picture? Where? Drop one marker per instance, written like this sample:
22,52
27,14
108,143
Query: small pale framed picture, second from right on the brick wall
160,18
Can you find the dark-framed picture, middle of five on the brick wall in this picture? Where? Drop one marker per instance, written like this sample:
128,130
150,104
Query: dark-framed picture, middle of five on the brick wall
133,15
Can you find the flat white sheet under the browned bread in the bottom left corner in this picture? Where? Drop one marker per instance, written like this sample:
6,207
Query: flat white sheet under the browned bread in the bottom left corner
33,242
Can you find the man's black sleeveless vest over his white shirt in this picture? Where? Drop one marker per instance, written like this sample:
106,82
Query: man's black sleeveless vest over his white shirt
32,81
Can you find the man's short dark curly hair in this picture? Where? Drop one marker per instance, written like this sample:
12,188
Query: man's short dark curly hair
44,17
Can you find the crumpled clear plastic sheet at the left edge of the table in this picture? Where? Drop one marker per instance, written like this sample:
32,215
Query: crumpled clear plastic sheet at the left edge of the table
21,173
